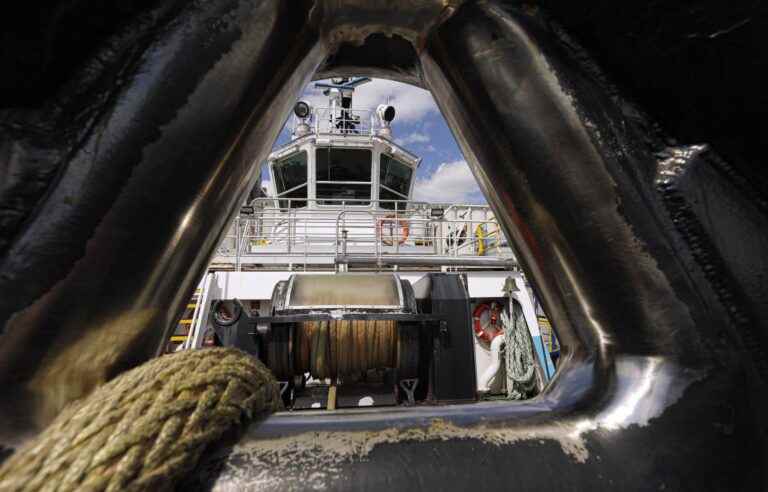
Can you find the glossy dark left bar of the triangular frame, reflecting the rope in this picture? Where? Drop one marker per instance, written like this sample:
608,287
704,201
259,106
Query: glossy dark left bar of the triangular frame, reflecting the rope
115,250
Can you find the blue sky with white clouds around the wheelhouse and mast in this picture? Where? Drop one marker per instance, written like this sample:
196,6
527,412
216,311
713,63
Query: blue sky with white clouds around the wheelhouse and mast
443,175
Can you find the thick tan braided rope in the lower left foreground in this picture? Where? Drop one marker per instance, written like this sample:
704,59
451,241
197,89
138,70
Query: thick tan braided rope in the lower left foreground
146,428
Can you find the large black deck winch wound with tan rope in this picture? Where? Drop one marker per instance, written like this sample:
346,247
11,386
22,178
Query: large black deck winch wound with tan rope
360,339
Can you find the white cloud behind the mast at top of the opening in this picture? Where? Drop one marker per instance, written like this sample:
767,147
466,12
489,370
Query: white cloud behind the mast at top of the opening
411,103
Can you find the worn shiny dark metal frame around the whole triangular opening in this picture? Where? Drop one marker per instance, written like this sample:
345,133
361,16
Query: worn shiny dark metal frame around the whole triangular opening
650,379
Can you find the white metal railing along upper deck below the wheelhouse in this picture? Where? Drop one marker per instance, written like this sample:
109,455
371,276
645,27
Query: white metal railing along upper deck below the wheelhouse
381,229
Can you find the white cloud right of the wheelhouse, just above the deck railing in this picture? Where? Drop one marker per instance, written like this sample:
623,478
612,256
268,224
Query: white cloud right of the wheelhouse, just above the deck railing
451,182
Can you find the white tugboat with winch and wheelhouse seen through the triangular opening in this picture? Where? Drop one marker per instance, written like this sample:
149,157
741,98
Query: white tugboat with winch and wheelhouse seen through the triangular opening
353,293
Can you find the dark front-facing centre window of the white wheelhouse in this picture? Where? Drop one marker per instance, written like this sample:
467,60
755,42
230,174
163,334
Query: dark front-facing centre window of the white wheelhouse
343,175
